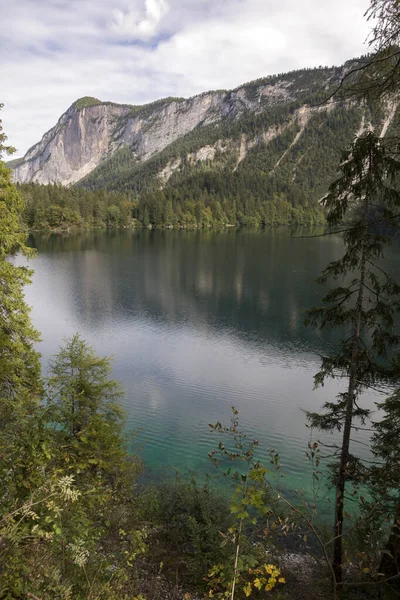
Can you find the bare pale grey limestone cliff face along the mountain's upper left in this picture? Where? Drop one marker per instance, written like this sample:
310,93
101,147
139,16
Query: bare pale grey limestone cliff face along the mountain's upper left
85,135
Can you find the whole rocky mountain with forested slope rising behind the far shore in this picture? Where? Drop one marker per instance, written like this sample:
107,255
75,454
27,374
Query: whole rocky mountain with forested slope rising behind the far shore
274,137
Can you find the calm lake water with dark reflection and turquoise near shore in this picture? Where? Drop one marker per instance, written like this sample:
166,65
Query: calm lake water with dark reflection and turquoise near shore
197,322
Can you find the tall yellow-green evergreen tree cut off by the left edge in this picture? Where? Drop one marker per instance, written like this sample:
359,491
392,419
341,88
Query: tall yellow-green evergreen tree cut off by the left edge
19,362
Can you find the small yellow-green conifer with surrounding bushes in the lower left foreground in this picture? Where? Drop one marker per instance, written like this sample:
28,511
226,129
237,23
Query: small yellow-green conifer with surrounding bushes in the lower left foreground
68,523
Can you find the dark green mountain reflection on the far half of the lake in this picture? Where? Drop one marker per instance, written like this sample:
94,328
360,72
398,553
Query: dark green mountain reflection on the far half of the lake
256,285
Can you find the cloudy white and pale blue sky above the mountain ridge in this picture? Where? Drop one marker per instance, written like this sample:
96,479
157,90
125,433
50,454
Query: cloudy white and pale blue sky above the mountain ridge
136,51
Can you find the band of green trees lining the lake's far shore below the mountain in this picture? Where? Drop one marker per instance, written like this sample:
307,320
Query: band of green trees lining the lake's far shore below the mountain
205,200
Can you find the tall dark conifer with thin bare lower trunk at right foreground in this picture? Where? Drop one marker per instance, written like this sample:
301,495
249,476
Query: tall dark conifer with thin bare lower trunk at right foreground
363,303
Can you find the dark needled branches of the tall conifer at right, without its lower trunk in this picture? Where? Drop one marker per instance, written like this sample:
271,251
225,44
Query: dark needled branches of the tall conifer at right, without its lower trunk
366,193
